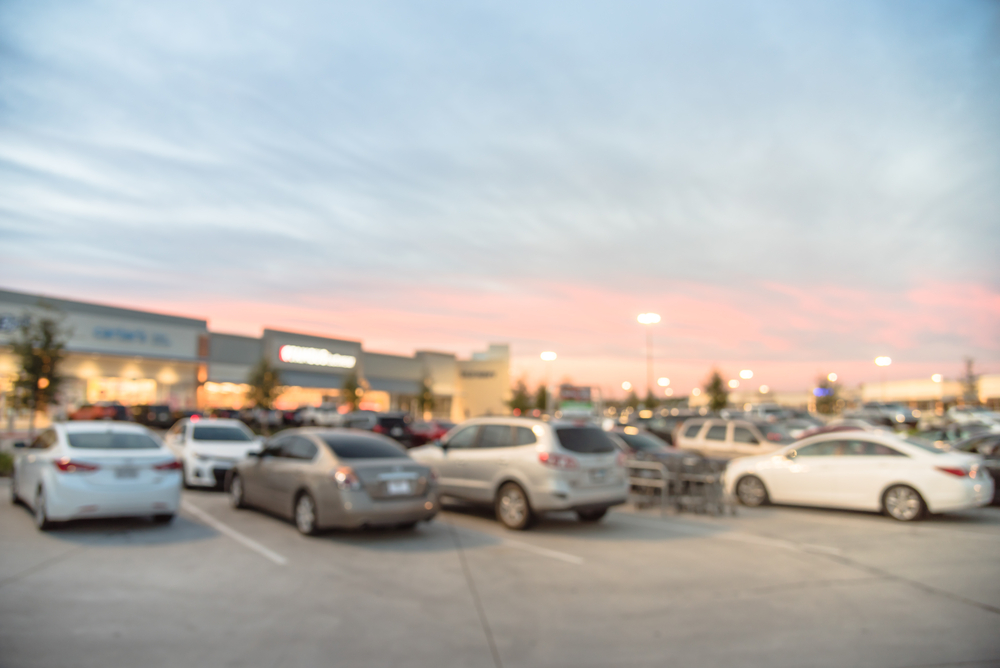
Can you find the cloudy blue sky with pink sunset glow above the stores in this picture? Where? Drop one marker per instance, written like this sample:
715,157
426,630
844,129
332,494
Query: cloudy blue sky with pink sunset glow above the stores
796,188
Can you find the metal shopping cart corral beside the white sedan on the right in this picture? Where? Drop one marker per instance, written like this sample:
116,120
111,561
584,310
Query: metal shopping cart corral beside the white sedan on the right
687,481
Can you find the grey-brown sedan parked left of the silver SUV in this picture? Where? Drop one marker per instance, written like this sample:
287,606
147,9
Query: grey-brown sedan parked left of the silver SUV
346,478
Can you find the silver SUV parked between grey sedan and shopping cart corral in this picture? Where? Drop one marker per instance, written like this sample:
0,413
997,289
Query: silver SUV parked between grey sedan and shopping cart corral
525,467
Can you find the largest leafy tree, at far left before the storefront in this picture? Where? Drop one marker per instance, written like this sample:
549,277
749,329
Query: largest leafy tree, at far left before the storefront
39,345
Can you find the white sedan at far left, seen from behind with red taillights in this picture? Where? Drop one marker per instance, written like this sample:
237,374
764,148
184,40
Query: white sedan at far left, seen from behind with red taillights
96,469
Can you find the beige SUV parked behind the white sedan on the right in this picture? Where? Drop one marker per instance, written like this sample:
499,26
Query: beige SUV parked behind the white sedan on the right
730,438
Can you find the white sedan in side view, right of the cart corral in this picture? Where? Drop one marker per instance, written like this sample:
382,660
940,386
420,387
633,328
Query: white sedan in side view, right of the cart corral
874,471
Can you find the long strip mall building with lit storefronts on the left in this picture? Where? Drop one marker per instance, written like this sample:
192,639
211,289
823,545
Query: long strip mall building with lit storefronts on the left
138,357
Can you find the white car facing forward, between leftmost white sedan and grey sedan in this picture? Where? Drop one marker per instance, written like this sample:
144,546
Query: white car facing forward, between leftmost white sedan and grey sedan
209,447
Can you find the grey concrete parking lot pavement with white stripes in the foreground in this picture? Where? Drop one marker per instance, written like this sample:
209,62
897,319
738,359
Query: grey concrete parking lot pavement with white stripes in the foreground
770,587
